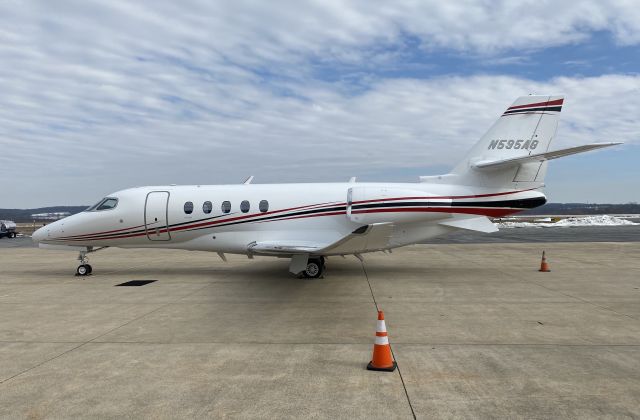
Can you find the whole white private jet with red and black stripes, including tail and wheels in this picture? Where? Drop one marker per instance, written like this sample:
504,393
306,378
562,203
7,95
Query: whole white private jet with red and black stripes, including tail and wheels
502,174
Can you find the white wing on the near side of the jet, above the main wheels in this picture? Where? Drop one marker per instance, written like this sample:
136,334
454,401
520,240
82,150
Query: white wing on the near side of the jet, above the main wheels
366,238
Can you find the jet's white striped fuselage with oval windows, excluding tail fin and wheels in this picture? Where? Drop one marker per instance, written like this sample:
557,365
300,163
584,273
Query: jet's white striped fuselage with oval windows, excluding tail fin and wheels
319,214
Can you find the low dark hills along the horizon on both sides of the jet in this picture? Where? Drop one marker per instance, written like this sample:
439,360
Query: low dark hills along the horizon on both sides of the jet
24,215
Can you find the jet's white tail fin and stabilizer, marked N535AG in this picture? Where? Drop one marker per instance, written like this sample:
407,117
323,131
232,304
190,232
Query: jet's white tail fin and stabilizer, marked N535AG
513,154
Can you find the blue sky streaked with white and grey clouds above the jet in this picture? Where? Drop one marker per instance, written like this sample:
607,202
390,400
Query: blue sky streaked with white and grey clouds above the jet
101,96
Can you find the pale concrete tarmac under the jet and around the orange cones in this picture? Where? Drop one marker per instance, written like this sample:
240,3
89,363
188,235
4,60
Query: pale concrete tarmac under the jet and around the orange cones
476,330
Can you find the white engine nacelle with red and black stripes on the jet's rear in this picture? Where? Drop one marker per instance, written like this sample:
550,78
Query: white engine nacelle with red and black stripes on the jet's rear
368,205
